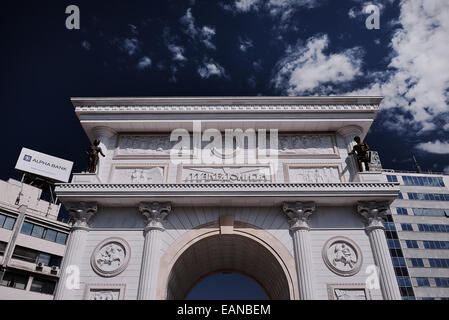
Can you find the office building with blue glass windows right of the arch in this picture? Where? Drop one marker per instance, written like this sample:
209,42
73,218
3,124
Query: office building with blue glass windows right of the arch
417,229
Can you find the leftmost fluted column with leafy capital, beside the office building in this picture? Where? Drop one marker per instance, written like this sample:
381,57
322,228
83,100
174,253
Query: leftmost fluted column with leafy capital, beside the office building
81,213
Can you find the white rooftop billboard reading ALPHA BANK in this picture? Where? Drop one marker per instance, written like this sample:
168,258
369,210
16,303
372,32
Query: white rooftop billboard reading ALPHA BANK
44,165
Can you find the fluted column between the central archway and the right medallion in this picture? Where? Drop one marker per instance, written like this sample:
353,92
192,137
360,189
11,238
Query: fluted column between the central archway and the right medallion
298,214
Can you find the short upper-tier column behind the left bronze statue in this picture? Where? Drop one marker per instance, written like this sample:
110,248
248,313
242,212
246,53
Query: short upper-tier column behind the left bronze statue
106,136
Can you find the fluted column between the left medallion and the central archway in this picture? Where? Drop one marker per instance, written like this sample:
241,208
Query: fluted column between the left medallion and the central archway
154,213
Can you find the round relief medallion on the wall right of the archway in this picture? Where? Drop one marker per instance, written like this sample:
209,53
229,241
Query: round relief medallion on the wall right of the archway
342,256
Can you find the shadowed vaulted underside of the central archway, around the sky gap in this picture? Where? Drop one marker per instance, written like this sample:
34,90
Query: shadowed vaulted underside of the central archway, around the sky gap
227,253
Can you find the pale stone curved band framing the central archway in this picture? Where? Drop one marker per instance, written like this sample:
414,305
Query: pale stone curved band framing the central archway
242,231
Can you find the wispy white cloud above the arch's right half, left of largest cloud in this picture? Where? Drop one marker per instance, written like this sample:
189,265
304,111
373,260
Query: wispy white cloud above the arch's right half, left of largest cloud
307,69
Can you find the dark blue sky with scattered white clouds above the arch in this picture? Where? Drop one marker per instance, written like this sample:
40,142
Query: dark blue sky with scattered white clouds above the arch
225,48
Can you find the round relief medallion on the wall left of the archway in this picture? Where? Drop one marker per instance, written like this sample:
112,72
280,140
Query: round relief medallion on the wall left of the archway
111,257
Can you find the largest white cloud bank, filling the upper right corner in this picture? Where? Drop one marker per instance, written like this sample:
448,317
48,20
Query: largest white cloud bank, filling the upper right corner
418,77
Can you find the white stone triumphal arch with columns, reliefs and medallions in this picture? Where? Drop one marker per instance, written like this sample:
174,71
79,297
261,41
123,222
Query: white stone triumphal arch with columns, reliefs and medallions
263,186
